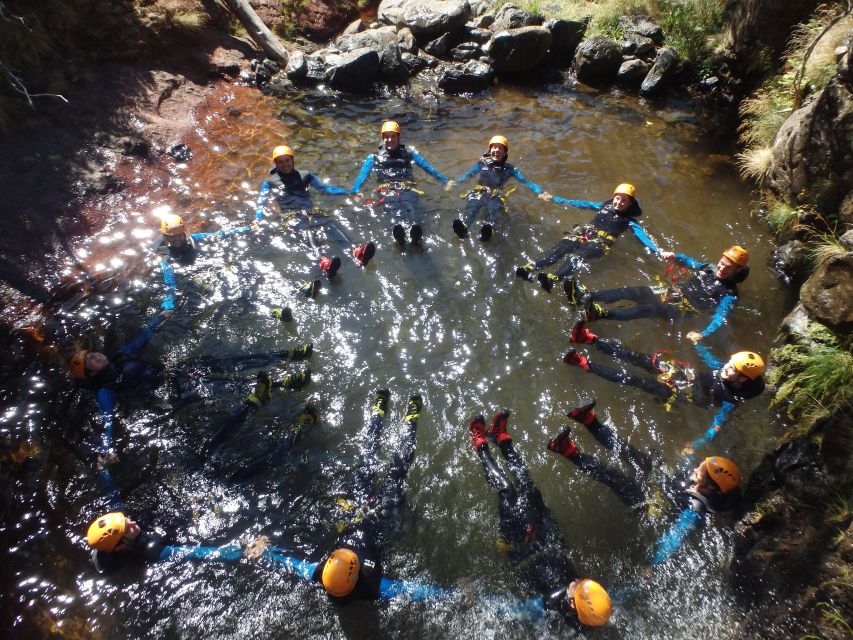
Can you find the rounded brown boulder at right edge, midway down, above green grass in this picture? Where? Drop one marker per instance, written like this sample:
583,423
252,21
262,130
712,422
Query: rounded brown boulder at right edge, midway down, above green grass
828,294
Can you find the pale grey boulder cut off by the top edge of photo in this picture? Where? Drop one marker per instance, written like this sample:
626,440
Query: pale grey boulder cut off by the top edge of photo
427,19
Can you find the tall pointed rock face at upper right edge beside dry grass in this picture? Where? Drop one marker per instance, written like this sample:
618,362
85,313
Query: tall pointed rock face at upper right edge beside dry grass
814,145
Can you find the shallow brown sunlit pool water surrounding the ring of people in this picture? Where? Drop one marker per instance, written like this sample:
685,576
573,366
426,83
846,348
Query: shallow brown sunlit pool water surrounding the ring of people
451,323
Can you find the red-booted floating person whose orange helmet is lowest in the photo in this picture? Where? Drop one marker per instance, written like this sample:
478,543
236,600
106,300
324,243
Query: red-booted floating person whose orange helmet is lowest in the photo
531,536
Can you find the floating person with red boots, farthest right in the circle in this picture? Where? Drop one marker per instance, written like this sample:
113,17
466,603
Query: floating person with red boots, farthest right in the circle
723,384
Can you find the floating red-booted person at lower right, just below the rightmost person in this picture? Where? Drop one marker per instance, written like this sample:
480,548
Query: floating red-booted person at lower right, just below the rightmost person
713,485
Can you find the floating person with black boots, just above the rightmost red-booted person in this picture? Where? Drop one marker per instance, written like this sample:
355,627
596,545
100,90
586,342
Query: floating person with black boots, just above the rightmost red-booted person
711,287
